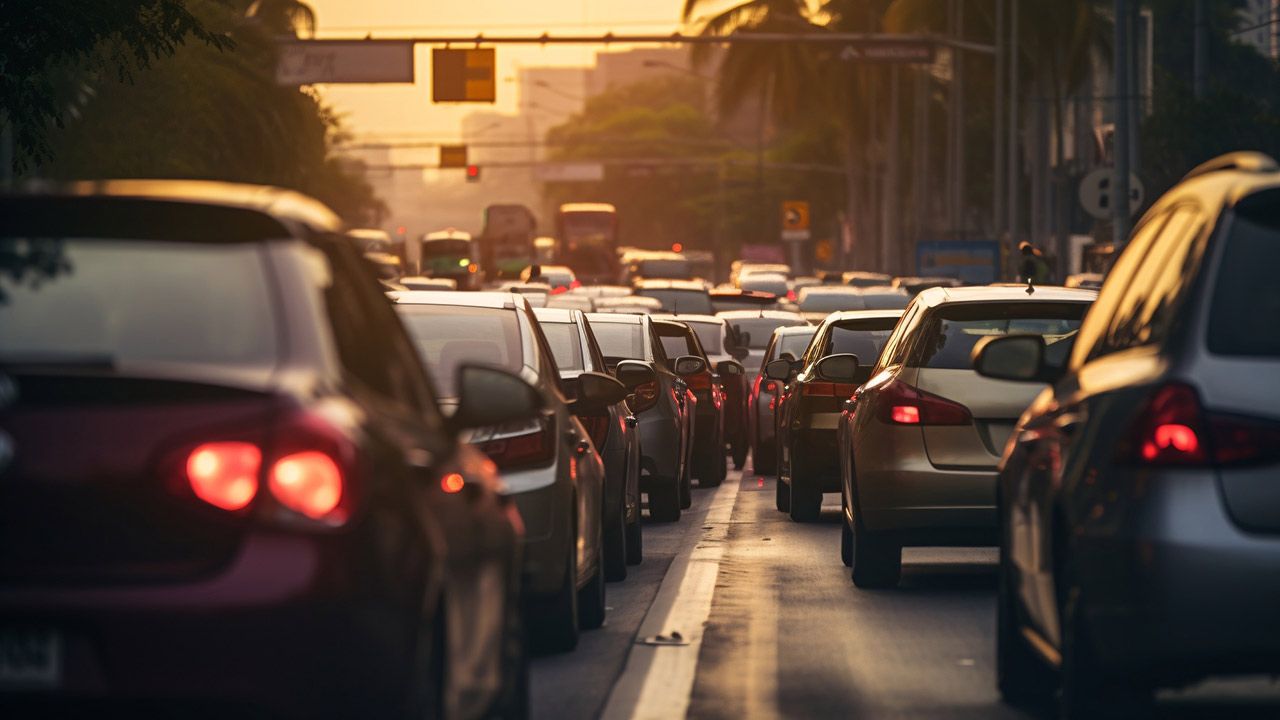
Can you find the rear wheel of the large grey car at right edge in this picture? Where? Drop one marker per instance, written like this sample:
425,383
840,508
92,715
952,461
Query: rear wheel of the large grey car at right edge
1089,692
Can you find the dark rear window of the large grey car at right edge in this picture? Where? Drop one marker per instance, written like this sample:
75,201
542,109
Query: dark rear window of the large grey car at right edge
1246,304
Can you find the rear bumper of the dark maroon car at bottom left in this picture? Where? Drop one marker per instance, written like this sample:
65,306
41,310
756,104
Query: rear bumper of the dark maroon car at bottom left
292,626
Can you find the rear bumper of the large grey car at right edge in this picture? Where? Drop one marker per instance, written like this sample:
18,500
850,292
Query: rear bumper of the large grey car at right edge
1174,589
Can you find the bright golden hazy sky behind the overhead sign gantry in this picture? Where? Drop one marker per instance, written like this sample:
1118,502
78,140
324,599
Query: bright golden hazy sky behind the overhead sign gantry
403,110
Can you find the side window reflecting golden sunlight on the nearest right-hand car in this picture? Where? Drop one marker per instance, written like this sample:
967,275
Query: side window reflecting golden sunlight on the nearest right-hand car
1160,285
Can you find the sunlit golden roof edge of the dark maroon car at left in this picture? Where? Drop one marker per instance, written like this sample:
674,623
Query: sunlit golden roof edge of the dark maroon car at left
275,202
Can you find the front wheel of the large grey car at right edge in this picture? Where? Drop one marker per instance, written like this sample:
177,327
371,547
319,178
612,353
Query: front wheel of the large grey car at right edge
1022,677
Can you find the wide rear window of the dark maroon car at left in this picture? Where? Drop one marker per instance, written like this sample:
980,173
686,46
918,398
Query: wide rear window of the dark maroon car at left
121,302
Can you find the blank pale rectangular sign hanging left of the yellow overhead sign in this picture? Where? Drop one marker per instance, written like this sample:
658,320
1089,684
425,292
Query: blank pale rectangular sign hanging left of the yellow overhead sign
307,62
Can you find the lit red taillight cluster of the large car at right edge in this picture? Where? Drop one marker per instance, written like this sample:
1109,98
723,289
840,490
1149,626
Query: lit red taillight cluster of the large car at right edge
1174,430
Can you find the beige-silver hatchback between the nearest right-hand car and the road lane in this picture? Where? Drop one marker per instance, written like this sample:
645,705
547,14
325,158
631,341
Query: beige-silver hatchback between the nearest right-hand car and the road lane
921,441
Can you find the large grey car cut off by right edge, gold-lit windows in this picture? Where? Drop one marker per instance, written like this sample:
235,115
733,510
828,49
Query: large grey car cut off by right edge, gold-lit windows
1137,502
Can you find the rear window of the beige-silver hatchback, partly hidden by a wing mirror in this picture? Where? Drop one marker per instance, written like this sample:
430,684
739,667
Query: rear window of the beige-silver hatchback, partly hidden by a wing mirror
948,336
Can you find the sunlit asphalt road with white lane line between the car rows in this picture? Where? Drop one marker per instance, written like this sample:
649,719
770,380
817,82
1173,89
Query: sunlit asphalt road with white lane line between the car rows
789,636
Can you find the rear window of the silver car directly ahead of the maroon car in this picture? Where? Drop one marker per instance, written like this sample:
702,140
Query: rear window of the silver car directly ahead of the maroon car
450,336
